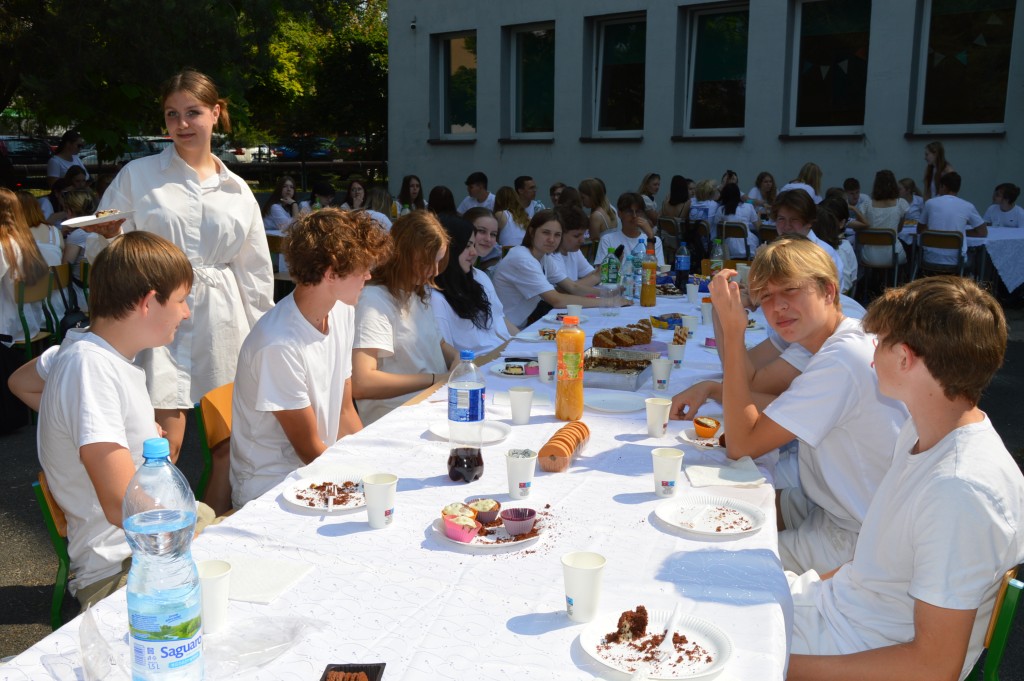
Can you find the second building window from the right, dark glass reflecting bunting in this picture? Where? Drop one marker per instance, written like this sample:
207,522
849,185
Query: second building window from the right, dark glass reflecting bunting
831,72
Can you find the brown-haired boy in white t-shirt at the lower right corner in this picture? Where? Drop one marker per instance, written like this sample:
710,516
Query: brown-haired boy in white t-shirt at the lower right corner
946,524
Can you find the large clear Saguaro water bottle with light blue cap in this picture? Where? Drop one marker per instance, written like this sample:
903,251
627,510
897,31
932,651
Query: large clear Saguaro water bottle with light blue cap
164,609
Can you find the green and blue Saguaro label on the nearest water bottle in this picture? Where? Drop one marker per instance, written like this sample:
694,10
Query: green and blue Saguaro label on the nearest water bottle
165,644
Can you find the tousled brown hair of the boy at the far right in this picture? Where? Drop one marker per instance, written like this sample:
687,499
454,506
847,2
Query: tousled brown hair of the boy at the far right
951,323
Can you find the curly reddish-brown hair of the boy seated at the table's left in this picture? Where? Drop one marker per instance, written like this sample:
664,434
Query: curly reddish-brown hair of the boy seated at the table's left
331,239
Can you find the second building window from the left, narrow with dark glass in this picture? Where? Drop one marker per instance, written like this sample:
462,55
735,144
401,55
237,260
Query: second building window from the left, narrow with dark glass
534,78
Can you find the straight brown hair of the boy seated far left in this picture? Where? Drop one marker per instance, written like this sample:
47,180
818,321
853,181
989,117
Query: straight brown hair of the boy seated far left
133,267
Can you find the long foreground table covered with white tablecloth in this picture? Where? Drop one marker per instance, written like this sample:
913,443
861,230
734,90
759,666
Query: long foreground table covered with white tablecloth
435,611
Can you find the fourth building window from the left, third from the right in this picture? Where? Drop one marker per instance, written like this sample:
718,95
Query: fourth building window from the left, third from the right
718,69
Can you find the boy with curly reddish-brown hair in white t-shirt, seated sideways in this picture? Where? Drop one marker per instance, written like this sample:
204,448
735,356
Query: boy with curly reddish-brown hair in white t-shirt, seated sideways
293,395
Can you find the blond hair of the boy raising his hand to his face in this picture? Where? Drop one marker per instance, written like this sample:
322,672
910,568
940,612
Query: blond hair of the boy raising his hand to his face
793,260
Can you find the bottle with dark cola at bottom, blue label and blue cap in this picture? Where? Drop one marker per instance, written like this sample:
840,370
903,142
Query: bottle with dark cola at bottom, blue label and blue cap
466,399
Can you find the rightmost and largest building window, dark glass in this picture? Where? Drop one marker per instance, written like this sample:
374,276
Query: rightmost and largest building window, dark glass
966,62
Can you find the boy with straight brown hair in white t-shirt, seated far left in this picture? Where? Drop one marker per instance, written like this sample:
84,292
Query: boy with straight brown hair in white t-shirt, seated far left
95,410
